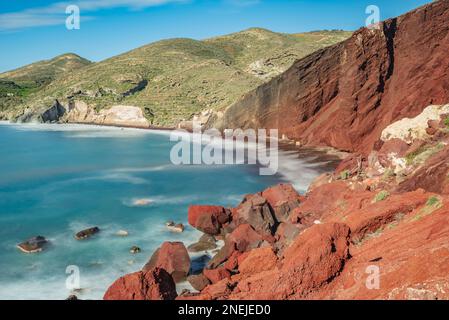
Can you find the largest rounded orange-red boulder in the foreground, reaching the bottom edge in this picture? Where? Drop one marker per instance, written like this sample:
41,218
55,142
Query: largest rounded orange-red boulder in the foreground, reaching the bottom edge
317,256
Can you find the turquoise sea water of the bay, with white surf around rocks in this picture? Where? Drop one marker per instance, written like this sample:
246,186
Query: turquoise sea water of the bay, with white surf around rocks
56,180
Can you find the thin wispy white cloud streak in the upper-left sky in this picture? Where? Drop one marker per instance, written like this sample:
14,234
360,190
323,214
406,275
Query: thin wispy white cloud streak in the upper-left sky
54,14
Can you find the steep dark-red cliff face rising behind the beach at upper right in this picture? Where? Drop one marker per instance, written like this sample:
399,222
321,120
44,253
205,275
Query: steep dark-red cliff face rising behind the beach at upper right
345,95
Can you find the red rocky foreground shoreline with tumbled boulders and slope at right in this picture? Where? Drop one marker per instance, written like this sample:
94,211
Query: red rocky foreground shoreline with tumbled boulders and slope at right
375,212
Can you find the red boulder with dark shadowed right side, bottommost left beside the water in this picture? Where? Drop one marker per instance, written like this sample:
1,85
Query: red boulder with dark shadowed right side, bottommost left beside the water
155,284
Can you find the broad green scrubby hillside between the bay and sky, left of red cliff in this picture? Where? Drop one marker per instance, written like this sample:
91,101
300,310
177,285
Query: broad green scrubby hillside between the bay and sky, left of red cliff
174,79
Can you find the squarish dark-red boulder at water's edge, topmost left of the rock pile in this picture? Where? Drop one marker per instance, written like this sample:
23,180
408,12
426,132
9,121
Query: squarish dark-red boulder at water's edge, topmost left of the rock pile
208,219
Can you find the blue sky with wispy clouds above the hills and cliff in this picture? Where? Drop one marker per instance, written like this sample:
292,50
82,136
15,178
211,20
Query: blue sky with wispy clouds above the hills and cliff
35,30
